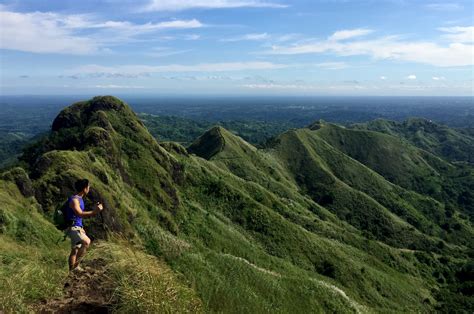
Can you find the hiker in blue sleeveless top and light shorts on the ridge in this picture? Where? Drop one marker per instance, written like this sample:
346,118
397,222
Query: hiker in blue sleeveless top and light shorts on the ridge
76,211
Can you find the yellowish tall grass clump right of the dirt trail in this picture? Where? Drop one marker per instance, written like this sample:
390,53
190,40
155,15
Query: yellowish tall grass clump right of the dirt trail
144,284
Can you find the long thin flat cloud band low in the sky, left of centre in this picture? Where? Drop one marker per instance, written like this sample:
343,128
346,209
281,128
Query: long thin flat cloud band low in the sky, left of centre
139,70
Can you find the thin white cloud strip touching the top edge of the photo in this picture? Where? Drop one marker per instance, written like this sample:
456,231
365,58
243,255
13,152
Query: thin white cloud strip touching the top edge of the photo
173,5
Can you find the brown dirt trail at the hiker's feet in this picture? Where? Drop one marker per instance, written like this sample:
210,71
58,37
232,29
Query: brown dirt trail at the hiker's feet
87,291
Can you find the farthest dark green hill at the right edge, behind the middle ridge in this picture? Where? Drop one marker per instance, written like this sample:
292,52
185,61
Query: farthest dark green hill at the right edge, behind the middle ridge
413,154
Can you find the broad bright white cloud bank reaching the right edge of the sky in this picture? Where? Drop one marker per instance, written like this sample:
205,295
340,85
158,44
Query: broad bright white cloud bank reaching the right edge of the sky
390,47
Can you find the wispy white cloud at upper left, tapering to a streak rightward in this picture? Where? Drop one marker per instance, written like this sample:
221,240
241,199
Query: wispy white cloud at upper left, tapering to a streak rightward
48,32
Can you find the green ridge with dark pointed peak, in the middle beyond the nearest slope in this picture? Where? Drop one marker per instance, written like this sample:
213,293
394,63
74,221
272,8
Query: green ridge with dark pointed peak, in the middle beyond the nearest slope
302,160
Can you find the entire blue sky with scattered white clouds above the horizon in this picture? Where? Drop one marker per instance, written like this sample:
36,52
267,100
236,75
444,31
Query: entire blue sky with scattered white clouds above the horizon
238,47
